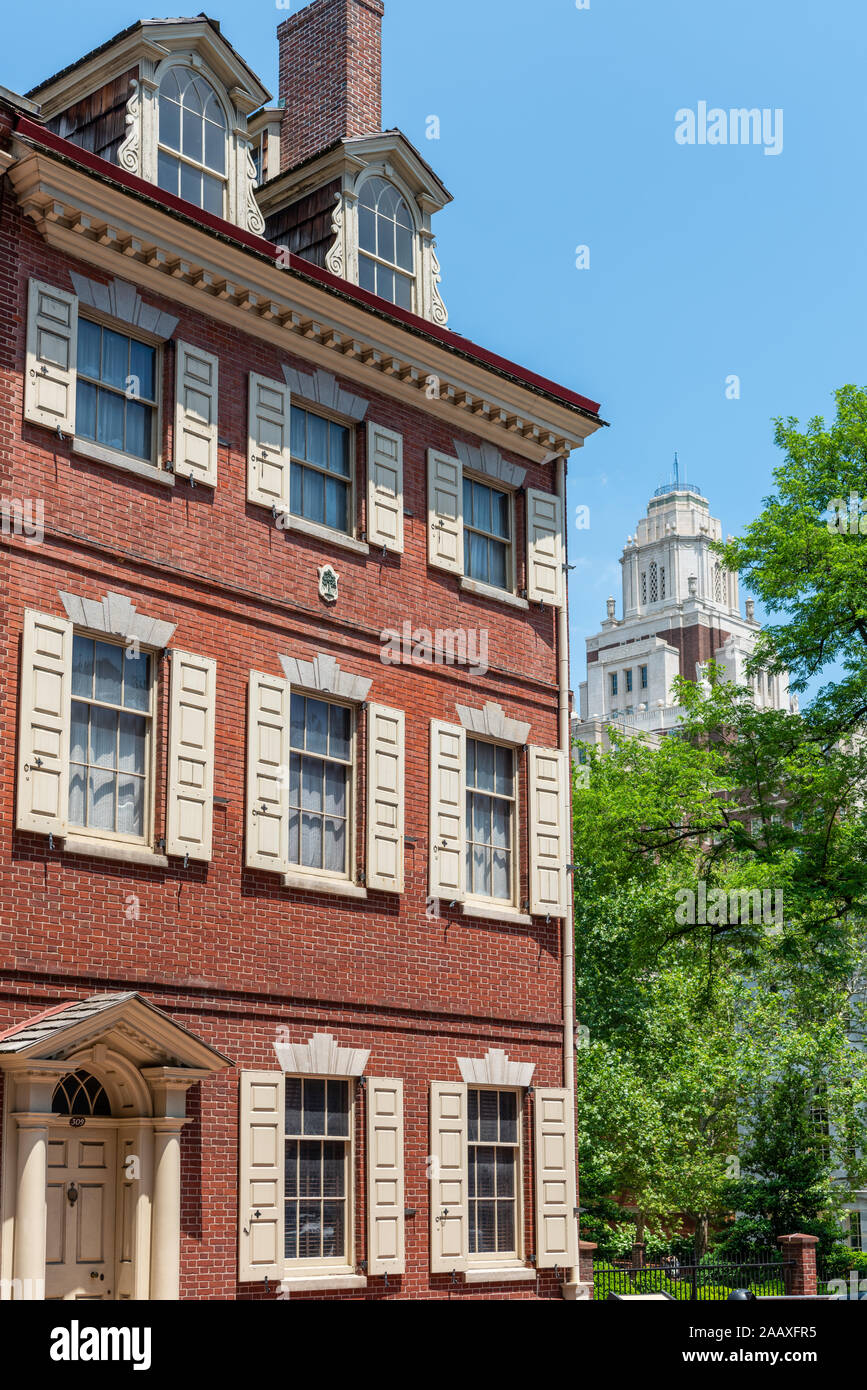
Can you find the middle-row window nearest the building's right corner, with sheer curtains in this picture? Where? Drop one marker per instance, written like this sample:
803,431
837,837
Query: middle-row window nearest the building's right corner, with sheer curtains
491,799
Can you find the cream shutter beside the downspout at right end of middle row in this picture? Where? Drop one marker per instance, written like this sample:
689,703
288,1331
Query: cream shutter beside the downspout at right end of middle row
550,850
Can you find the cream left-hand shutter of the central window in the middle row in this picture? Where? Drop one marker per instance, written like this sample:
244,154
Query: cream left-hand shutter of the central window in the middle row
269,774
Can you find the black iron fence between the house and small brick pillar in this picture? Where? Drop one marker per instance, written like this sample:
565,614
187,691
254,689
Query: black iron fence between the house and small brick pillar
712,1281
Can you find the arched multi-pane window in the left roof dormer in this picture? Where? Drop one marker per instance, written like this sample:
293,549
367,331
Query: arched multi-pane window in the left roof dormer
192,154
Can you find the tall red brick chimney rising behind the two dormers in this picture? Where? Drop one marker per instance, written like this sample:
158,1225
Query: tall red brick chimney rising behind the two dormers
330,76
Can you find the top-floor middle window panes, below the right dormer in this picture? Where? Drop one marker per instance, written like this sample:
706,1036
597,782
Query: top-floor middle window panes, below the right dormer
322,471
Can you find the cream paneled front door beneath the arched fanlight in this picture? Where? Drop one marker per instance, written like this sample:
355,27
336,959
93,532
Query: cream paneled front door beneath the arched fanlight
81,1197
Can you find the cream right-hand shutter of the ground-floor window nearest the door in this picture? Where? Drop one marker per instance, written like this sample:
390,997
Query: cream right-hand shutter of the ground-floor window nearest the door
386,1246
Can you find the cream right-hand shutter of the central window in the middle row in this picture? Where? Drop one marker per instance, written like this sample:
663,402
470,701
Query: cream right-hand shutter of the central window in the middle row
386,797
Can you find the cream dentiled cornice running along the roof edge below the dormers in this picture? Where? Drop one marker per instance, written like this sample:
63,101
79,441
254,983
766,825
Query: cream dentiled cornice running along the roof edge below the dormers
99,223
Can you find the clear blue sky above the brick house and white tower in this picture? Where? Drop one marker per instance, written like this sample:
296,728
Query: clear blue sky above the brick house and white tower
558,130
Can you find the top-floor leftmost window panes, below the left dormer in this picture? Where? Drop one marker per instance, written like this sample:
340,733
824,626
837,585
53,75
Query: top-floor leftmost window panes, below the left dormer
116,402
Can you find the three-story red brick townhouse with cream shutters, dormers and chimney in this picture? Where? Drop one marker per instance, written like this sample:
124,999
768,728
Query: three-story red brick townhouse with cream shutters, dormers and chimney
284,829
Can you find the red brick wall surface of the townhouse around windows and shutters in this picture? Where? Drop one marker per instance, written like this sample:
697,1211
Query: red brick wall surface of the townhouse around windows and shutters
233,954
